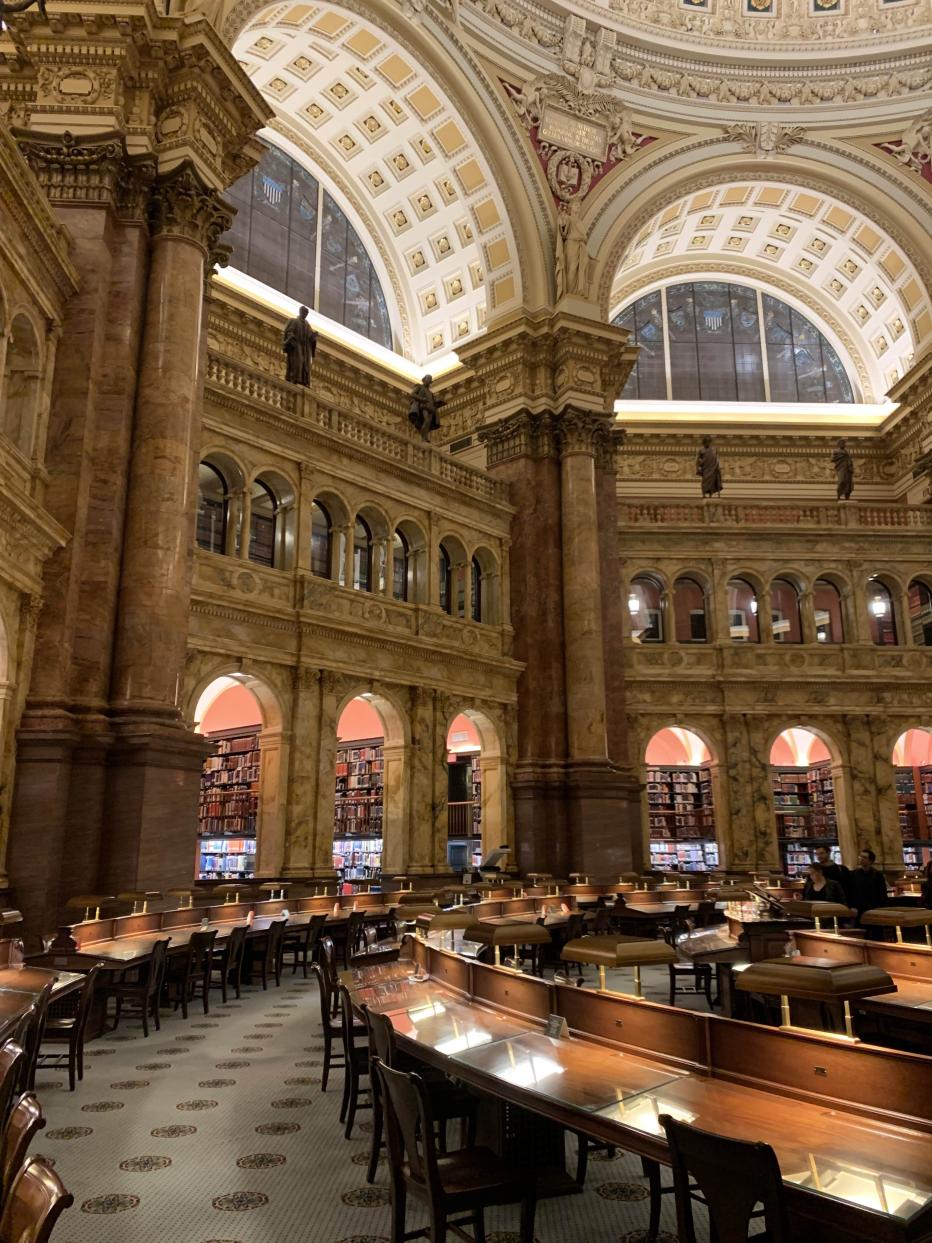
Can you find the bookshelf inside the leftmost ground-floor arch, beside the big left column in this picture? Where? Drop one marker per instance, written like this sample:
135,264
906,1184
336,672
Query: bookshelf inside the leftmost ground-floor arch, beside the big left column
228,809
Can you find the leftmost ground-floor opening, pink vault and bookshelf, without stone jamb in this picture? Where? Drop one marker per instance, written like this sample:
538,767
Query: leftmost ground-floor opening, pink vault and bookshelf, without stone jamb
231,715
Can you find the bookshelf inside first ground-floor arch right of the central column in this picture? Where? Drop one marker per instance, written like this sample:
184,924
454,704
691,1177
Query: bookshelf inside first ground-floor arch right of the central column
682,820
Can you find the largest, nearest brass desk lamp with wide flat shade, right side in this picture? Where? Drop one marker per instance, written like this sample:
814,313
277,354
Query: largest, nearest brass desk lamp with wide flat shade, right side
822,980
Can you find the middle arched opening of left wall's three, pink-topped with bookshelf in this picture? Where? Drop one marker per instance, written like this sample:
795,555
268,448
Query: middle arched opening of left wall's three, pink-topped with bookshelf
359,809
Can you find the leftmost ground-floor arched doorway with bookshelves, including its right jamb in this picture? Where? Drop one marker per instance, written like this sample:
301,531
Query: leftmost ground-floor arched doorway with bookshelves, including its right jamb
240,821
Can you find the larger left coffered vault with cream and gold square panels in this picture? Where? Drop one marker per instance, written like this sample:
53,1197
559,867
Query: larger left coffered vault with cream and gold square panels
355,95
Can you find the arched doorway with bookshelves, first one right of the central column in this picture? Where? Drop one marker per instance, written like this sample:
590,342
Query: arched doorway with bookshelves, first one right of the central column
682,825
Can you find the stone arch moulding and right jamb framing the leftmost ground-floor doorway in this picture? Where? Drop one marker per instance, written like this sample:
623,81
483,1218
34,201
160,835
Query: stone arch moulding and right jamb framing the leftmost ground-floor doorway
274,746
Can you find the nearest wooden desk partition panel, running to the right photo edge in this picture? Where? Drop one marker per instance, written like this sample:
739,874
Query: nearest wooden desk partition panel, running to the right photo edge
818,1068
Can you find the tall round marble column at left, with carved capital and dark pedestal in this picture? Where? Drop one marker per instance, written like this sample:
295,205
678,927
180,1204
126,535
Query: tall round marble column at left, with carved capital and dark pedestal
157,764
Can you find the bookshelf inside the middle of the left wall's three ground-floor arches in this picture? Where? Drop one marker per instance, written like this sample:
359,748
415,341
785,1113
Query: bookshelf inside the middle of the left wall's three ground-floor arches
357,814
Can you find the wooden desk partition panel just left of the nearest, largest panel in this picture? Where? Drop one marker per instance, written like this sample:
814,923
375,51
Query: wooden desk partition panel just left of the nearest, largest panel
659,1031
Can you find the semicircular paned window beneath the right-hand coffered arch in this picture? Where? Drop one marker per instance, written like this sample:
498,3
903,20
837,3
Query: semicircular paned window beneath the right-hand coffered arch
713,341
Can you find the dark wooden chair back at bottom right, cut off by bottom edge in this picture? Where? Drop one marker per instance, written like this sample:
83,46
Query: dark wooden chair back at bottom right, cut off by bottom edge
733,1176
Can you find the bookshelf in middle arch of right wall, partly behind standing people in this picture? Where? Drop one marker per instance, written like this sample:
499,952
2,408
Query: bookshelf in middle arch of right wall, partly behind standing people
805,802
